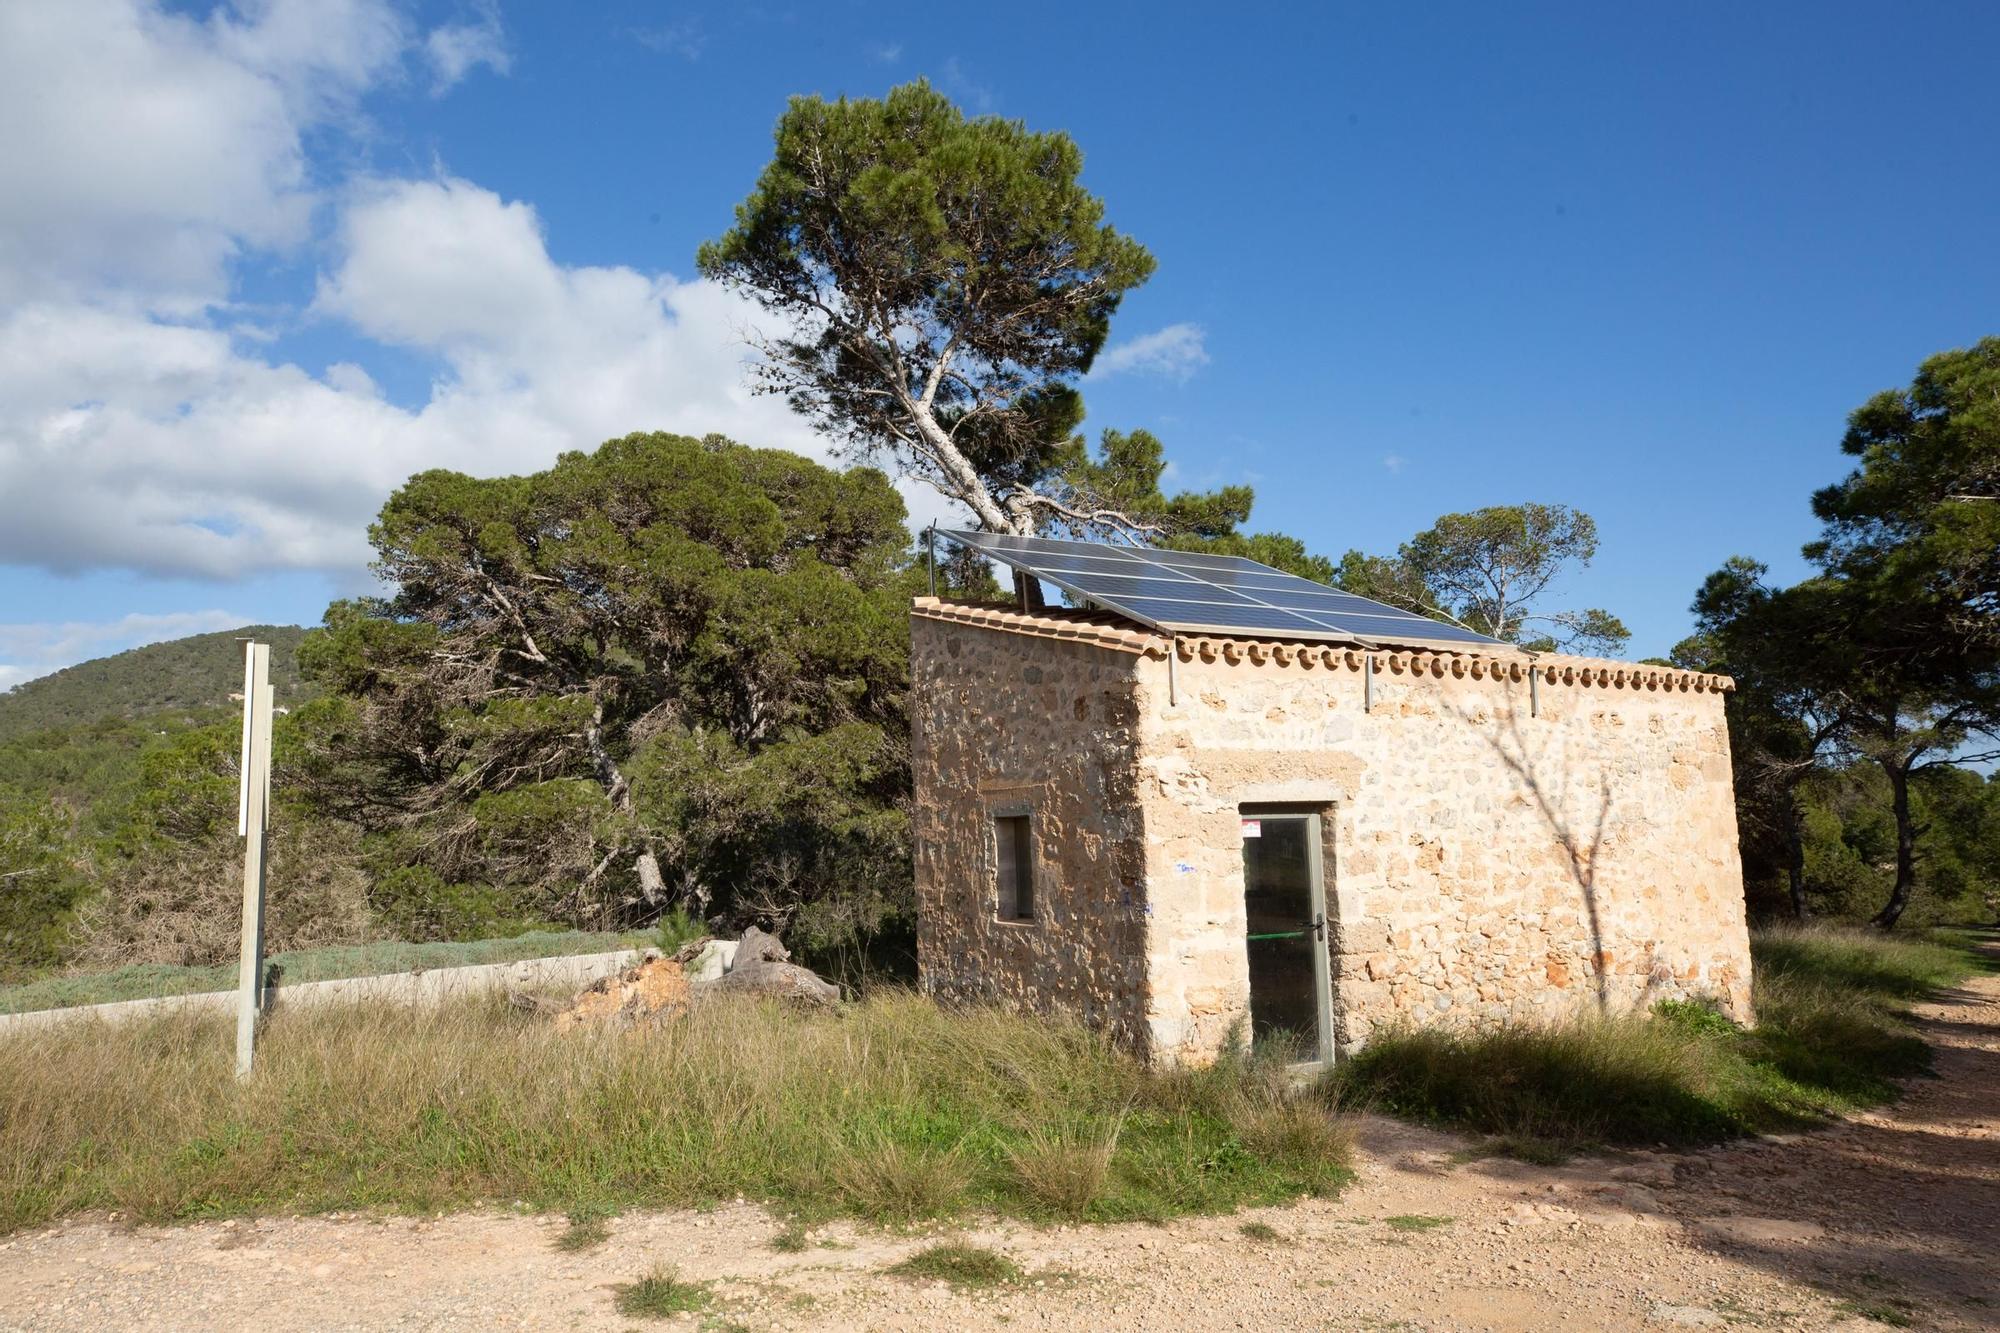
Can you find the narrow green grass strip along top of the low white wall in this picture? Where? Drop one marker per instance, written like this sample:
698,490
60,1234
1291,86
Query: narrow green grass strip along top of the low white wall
331,964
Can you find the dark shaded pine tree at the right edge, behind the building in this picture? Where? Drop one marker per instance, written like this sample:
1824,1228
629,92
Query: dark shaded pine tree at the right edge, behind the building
1891,655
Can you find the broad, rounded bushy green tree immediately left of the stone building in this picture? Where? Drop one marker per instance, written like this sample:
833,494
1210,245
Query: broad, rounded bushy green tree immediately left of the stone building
665,672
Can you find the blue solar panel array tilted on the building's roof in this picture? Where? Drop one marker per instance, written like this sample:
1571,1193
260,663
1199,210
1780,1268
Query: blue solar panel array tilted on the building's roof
1183,591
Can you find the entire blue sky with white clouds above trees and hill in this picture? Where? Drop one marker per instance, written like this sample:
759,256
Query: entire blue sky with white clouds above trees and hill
263,261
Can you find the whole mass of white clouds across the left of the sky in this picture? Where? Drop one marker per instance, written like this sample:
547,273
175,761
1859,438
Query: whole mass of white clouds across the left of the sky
147,425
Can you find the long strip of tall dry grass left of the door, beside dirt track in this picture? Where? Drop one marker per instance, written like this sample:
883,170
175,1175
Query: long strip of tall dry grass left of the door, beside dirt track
891,1110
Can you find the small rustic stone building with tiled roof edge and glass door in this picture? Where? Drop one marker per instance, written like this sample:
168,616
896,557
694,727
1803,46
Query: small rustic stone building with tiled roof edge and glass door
1191,840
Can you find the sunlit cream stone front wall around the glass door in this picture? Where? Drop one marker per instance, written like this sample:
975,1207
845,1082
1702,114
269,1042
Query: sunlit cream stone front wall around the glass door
1487,860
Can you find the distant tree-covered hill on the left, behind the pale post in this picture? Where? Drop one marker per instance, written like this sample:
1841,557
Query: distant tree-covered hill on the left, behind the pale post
185,674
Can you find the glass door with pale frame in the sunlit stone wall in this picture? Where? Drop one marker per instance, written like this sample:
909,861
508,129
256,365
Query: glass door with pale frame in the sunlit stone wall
1285,904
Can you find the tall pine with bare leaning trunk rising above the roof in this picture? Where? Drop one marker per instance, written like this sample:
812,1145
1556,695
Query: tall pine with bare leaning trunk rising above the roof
947,281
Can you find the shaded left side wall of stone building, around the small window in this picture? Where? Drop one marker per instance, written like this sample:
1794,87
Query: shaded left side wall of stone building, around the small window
1011,724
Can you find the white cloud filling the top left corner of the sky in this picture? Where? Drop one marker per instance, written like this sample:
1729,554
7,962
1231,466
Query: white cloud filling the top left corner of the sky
147,149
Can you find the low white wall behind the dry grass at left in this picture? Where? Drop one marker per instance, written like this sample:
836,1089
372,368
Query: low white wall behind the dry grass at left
423,988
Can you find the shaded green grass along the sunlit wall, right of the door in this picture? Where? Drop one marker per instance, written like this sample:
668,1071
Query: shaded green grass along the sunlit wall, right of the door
1831,1038
